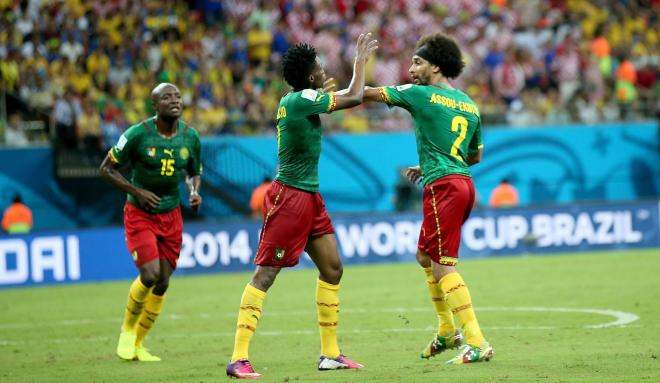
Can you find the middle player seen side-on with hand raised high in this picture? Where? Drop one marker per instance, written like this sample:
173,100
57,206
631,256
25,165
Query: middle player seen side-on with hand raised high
295,218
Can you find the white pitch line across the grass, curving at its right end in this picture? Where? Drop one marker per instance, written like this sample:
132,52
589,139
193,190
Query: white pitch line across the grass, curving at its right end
622,318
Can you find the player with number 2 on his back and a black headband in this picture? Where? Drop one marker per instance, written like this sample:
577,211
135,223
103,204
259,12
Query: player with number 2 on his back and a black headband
448,135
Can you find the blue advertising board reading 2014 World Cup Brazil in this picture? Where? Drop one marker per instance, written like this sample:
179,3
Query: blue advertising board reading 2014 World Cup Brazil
100,254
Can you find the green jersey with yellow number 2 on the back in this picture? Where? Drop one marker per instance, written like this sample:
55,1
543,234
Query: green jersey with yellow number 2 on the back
447,127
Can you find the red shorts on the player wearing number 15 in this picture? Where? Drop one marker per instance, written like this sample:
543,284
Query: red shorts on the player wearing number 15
153,236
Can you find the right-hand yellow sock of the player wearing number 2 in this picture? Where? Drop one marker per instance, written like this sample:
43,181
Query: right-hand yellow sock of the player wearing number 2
460,303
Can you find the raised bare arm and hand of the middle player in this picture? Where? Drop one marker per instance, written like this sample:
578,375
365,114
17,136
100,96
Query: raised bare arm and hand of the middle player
353,95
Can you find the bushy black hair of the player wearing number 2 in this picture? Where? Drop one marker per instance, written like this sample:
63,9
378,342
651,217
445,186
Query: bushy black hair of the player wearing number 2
444,53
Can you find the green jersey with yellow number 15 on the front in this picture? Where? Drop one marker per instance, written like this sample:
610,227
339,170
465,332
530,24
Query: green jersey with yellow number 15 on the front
159,164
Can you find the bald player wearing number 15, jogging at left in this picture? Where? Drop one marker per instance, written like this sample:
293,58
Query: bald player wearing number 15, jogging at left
162,151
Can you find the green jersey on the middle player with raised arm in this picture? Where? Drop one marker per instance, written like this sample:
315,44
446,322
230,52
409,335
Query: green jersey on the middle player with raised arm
299,137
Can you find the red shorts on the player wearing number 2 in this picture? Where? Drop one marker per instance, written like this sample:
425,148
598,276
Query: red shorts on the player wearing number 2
447,204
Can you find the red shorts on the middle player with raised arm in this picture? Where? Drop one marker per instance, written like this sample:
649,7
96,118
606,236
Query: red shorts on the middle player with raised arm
291,217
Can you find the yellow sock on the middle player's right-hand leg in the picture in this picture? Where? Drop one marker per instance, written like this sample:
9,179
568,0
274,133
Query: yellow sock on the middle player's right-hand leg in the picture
327,307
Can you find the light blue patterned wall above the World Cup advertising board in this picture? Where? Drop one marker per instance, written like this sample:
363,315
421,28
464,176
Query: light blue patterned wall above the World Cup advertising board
359,172
